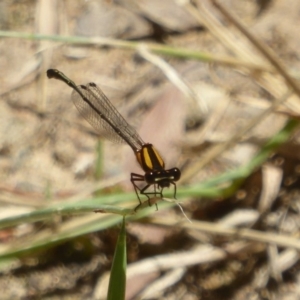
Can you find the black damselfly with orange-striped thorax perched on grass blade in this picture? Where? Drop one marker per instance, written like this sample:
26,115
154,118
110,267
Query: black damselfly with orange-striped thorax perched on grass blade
96,108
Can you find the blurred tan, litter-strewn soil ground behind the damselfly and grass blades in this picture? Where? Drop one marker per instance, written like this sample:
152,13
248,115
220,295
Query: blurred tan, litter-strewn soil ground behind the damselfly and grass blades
48,151
